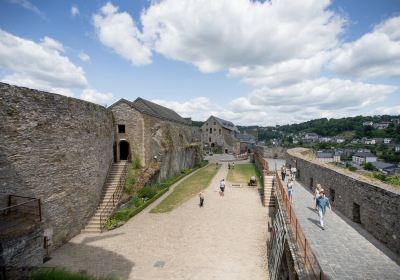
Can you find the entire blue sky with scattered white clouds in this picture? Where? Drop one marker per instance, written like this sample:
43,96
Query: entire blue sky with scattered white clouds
264,63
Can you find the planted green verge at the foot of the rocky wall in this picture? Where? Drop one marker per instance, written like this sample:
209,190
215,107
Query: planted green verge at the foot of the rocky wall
143,198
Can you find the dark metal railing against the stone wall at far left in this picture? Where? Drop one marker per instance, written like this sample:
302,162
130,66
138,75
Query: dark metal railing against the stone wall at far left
23,206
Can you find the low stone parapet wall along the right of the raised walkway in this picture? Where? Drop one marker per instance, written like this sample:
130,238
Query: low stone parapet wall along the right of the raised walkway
376,206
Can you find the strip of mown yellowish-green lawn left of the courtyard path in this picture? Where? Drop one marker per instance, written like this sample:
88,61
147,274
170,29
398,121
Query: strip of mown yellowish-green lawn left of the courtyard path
187,189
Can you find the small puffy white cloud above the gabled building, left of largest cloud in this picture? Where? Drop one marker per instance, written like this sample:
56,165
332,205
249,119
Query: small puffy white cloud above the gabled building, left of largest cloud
118,31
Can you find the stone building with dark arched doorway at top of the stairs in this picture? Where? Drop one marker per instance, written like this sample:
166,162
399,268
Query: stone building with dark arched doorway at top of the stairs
154,134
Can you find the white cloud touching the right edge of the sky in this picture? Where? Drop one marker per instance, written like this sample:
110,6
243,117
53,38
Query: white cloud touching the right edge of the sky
375,54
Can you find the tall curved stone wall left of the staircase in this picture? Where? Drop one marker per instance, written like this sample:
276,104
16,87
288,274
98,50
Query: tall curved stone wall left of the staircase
57,149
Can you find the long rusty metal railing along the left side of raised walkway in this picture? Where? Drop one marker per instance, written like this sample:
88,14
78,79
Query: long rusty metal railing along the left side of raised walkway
310,261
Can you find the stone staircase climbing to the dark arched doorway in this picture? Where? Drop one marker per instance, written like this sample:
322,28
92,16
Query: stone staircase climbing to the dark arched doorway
105,207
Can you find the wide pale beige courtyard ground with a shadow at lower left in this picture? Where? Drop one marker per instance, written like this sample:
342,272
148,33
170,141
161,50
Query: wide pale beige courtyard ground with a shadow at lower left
226,239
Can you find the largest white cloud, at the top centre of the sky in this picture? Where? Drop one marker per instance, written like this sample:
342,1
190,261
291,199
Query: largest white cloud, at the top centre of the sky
217,35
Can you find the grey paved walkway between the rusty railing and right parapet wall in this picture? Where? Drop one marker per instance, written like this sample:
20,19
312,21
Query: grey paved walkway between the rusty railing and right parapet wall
344,249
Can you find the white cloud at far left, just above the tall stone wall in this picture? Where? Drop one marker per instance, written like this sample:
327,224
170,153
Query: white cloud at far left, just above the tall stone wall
43,64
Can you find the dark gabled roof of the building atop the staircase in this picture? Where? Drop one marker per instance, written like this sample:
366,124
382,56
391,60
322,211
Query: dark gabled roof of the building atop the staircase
152,109
